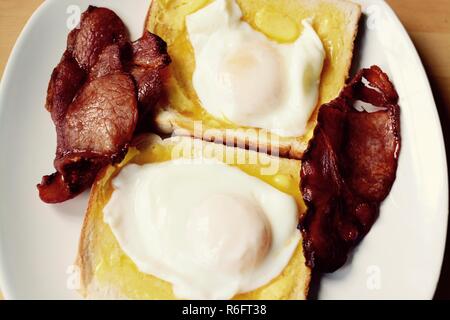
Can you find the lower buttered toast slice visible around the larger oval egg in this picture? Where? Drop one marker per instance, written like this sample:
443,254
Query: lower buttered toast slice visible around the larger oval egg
106,271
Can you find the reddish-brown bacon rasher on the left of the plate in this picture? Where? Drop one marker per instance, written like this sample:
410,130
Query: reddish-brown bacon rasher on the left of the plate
97,99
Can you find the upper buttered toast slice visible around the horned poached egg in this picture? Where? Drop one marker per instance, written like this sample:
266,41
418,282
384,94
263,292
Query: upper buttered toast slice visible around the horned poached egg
336,23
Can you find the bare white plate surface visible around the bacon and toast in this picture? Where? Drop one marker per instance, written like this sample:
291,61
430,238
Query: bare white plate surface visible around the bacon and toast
400,258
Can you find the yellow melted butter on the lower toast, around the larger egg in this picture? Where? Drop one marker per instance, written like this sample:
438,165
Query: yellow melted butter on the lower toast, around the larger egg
112,266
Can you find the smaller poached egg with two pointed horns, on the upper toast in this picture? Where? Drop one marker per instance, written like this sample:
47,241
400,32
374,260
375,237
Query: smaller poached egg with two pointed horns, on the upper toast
244,77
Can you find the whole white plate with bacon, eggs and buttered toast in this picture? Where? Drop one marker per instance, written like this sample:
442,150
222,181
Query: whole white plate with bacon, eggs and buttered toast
219,149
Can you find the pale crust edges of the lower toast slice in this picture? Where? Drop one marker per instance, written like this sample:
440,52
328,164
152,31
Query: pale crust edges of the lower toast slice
91,288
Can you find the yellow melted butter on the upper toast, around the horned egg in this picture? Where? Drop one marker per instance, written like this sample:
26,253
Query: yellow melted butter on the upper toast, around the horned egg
279,20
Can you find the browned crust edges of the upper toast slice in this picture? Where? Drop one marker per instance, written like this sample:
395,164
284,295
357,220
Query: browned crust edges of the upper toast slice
169,121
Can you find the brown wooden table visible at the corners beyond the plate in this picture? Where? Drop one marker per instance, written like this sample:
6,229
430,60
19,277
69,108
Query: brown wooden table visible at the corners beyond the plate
428,23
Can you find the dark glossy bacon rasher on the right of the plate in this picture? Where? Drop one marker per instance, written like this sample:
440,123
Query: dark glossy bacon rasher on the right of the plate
349,168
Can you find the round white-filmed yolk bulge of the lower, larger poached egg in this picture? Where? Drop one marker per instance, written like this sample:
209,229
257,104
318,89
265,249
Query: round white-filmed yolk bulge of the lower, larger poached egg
215,247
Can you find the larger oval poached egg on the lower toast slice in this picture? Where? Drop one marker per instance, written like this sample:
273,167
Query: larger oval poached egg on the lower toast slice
209,229
